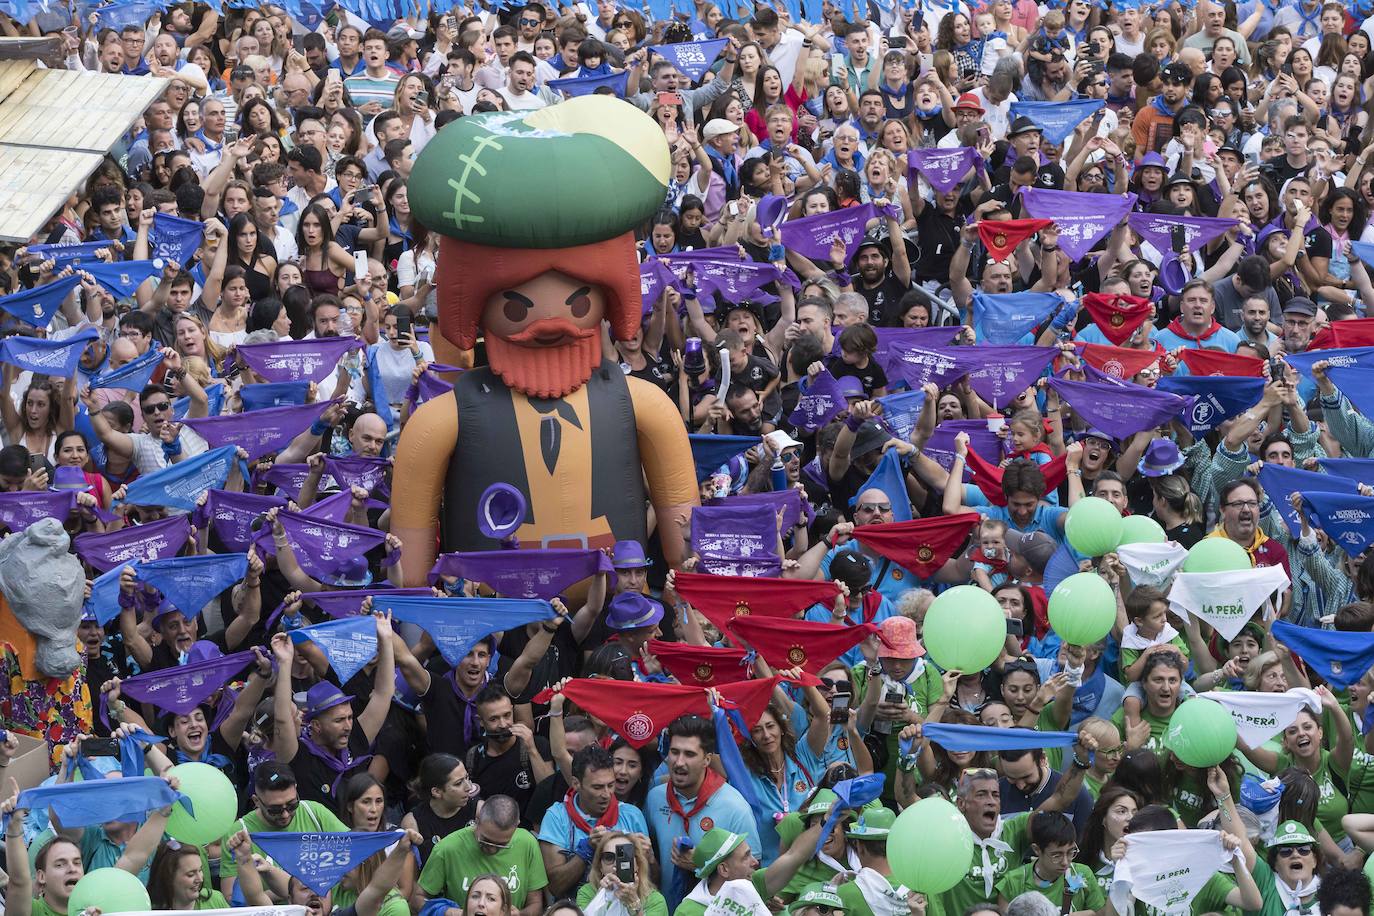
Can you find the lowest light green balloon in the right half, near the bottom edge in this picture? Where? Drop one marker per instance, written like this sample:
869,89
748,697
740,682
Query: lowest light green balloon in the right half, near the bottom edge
941,833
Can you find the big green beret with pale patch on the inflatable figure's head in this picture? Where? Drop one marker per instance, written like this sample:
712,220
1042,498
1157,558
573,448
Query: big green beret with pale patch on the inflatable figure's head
574,174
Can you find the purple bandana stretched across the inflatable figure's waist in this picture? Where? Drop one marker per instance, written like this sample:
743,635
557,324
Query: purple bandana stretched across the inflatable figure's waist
534,573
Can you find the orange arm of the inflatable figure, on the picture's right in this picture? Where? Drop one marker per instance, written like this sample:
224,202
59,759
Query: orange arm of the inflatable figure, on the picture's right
668,468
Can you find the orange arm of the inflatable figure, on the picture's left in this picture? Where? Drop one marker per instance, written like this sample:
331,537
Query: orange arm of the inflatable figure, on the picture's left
425,450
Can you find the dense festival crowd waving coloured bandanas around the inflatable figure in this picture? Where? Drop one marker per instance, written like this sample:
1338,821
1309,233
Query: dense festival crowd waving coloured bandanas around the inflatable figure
939,271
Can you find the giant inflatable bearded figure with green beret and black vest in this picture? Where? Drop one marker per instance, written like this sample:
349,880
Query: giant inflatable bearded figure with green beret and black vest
538,212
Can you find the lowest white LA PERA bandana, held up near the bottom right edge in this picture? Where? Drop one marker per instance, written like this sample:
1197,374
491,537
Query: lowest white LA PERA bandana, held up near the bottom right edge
1167,869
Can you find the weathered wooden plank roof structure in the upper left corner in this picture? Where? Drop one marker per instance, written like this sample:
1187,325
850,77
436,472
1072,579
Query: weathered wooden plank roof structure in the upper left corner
56,126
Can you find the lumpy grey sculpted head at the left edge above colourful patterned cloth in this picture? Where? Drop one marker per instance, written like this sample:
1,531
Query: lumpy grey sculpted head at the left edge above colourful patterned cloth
46,587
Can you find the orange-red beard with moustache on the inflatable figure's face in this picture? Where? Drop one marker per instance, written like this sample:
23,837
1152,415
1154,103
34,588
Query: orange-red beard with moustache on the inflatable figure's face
542,370
